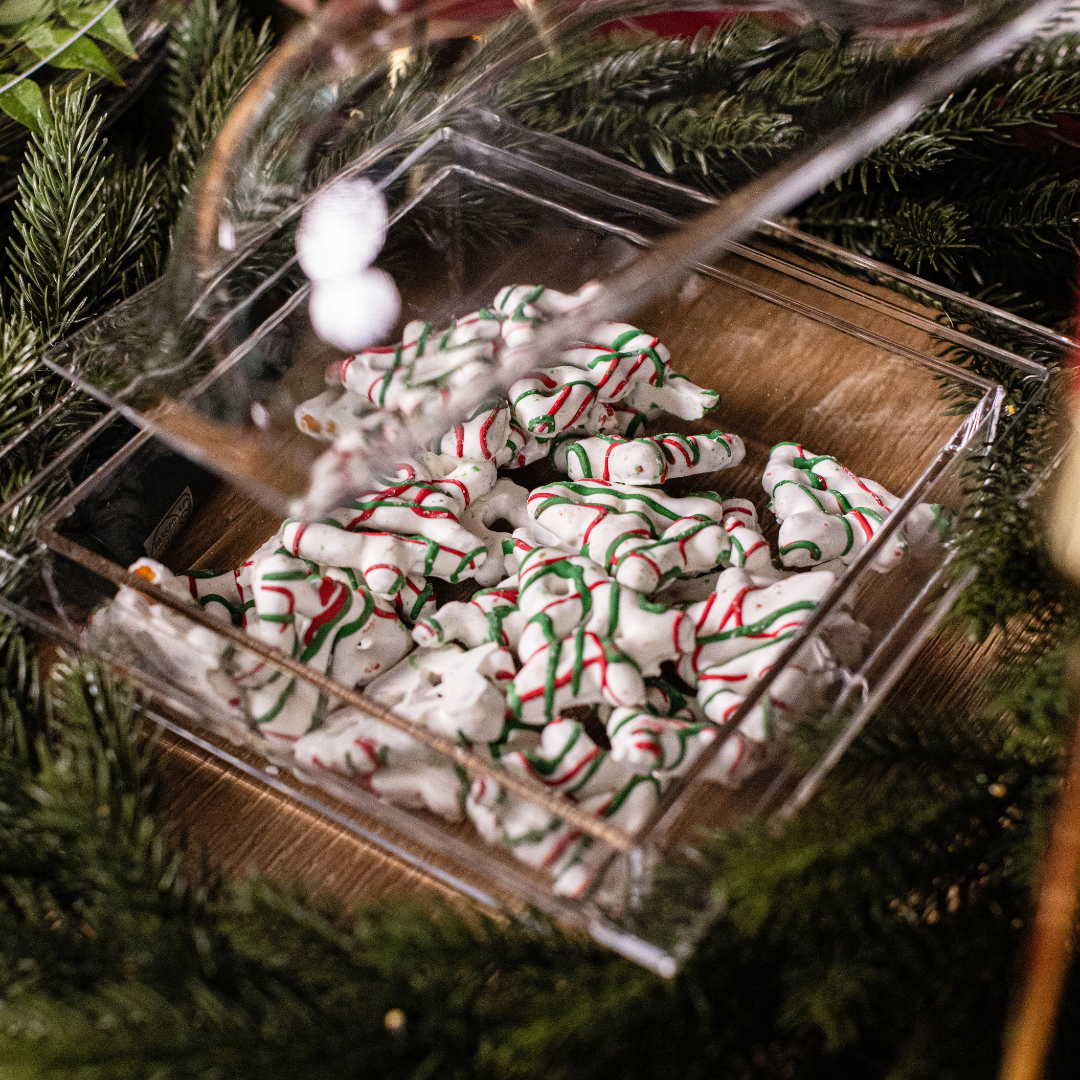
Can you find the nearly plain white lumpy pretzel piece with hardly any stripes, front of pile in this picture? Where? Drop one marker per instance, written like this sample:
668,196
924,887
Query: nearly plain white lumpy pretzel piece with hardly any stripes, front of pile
451,691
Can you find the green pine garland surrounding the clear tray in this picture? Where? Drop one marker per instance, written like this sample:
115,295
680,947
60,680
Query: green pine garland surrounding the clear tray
879,936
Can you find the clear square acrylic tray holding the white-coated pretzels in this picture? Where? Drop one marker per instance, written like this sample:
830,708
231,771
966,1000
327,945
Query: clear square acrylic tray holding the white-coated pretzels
800,349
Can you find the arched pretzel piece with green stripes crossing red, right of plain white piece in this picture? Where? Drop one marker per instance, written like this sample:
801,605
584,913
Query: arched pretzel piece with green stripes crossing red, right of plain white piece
582,670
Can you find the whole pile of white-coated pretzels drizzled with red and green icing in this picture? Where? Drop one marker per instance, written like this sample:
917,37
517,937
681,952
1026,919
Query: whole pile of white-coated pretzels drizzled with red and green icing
587,587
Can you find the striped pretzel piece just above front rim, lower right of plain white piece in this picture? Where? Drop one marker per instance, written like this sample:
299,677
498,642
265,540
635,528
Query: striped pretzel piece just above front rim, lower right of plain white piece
568,761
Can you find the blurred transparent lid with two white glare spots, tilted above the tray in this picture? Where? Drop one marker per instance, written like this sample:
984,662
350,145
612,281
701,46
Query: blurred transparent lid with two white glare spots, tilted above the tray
293,307
